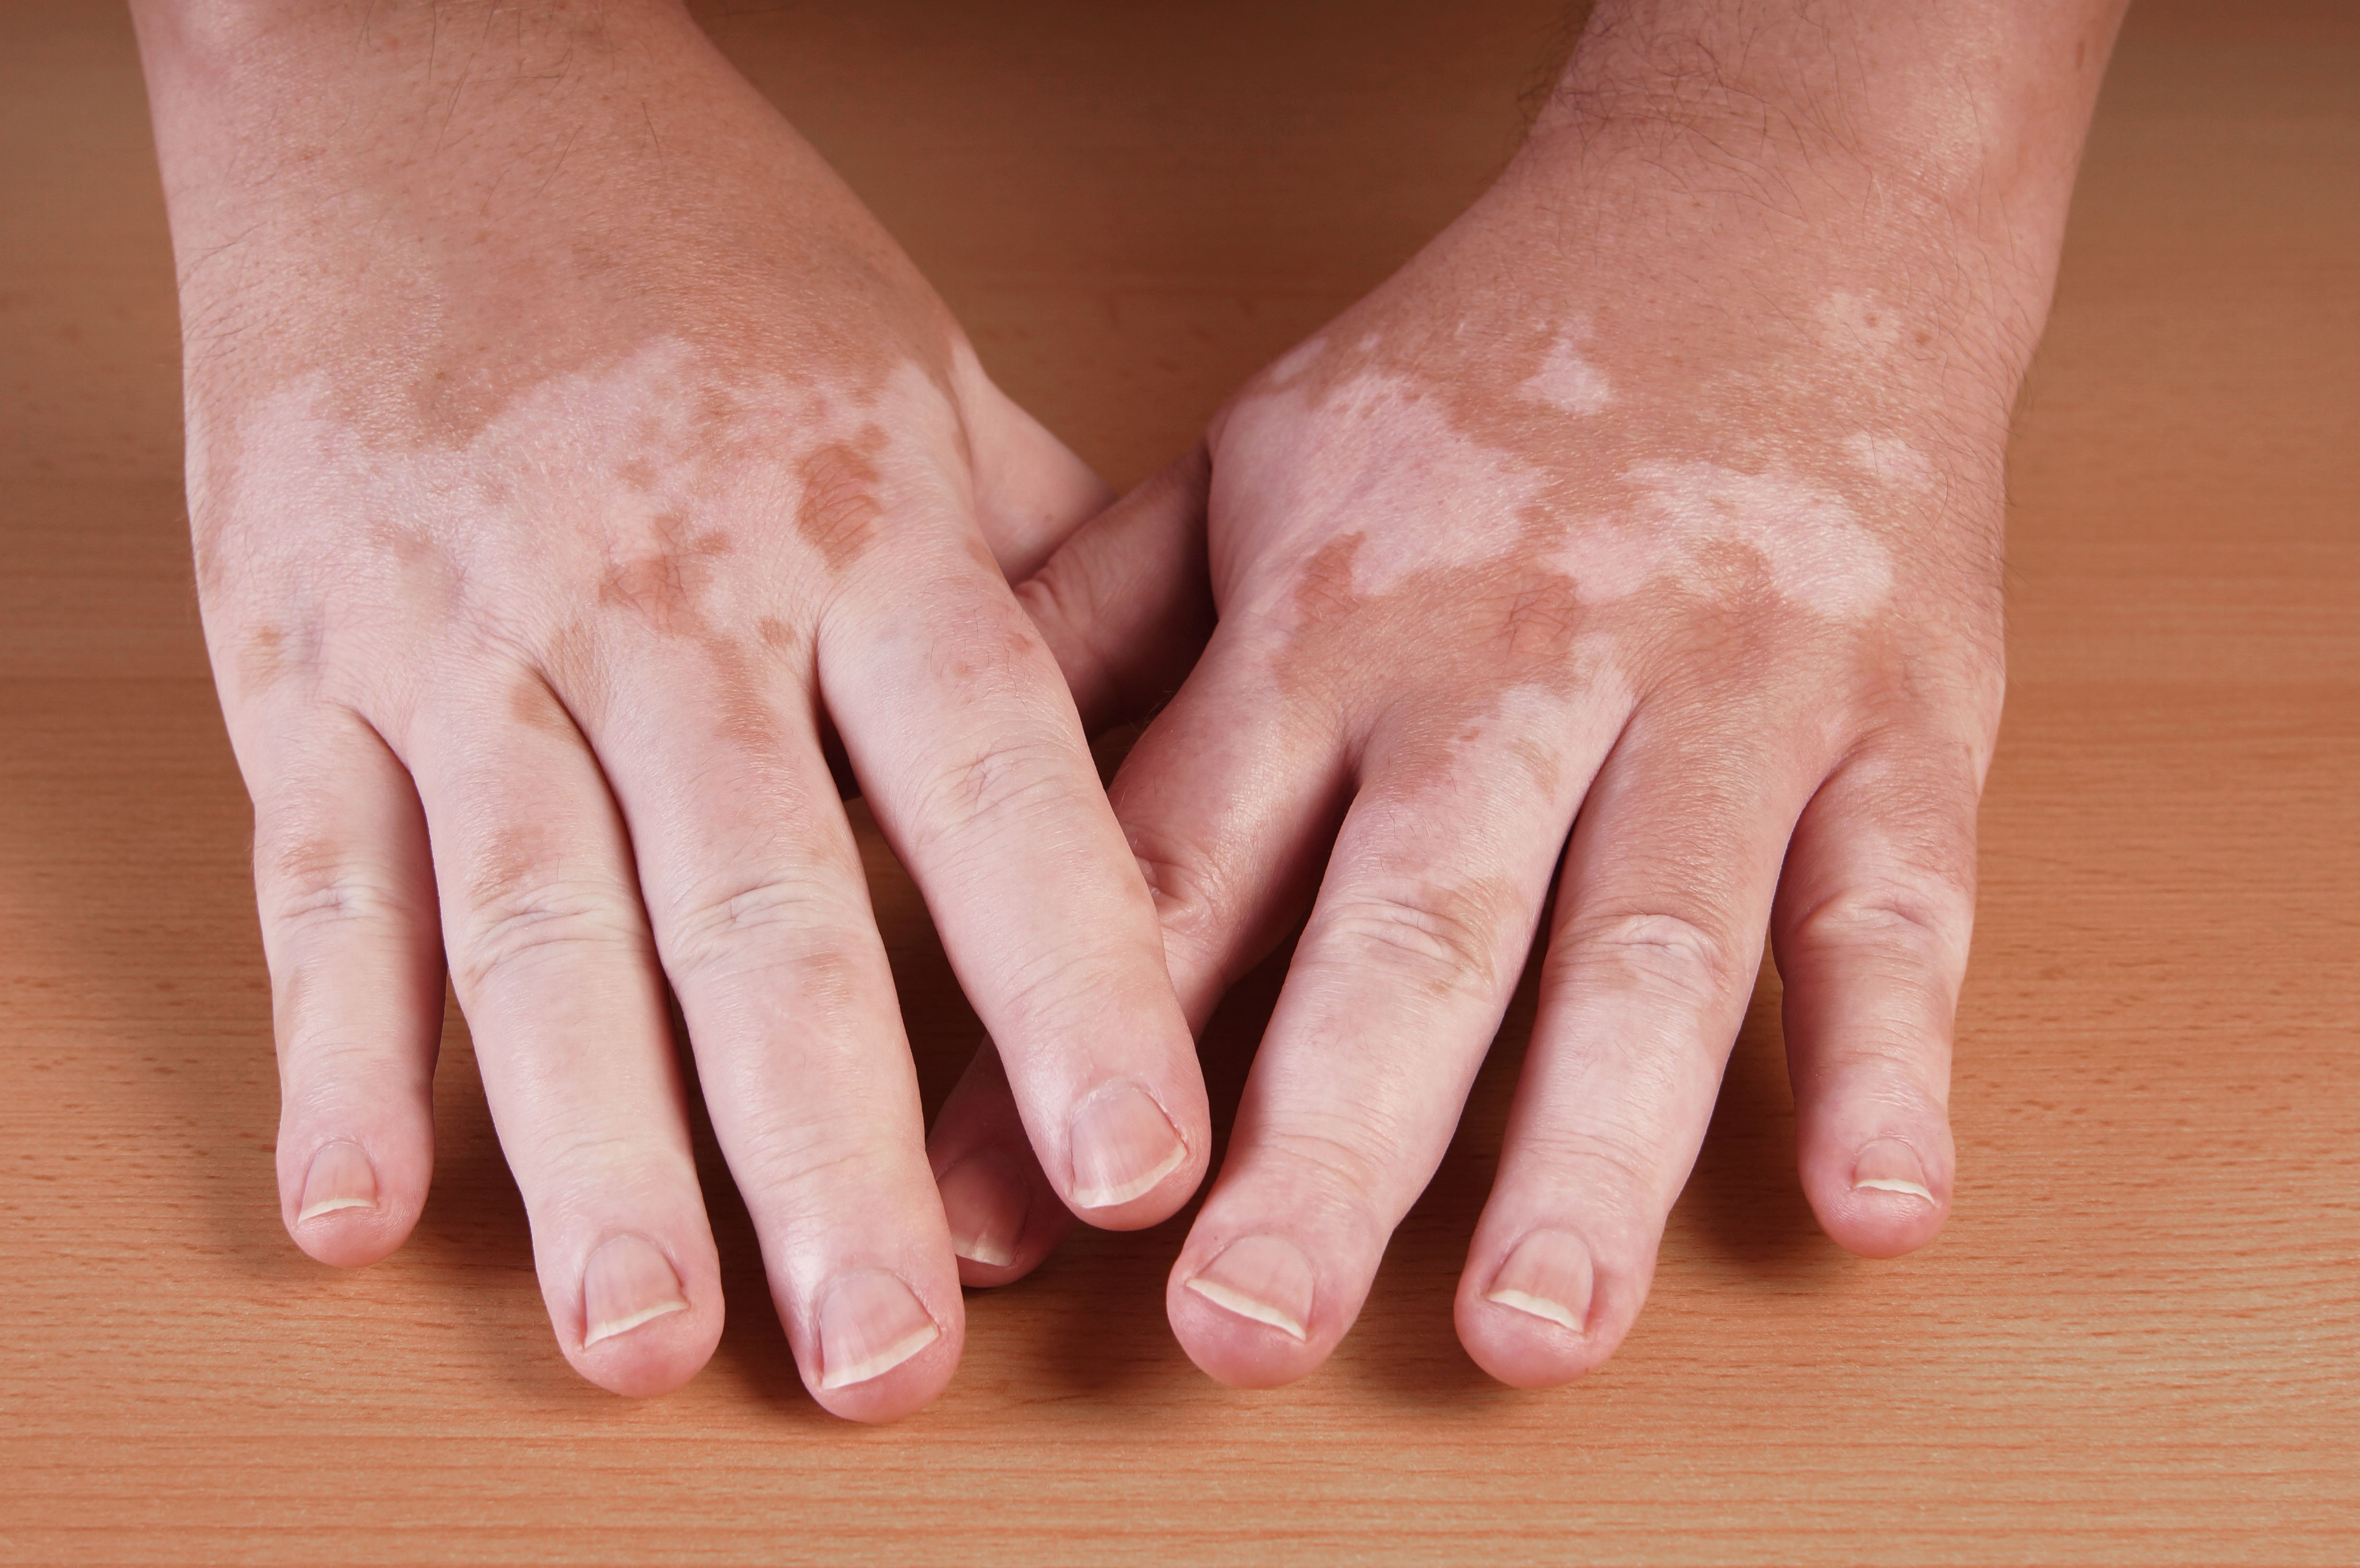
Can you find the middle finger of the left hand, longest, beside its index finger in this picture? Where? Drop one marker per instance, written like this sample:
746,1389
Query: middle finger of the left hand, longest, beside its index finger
763,922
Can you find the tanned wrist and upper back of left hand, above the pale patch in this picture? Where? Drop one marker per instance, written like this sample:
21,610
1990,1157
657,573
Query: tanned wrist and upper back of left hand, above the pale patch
433,185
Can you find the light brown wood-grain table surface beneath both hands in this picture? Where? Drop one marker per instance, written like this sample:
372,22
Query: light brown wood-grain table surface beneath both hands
2137,1342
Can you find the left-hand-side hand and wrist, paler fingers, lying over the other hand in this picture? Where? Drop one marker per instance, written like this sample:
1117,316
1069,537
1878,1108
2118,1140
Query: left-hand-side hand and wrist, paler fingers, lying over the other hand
568,450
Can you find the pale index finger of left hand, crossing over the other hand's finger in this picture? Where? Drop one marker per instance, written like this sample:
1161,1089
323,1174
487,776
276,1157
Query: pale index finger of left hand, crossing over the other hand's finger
973,759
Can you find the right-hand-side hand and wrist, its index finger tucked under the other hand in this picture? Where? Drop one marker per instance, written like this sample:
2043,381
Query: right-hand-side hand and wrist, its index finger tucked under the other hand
1644,533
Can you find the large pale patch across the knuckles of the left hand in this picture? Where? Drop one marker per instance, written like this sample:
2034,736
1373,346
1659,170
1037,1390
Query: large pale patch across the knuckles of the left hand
572,481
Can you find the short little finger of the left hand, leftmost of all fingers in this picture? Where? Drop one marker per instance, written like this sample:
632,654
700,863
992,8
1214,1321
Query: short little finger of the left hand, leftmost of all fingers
358,986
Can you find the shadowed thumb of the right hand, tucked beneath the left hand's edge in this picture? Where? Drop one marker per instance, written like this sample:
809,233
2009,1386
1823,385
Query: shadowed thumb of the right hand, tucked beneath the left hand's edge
1127,603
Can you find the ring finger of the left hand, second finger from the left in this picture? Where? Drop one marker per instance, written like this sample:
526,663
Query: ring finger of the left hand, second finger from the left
556,972
